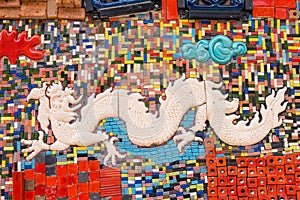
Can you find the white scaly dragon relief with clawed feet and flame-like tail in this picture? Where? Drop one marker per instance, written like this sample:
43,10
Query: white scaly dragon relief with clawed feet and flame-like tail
58,106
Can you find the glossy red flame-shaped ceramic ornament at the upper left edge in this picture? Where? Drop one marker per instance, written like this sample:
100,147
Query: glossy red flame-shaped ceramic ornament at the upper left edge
13,46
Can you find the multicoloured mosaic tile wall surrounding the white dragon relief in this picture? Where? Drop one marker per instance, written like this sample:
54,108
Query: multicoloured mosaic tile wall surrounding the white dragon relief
142,54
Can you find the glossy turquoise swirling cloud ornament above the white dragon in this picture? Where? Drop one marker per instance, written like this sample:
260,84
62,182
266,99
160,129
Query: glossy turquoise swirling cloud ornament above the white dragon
220,49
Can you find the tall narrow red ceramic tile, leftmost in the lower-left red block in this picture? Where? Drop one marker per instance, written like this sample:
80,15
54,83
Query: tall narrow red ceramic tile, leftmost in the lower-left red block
18,185
